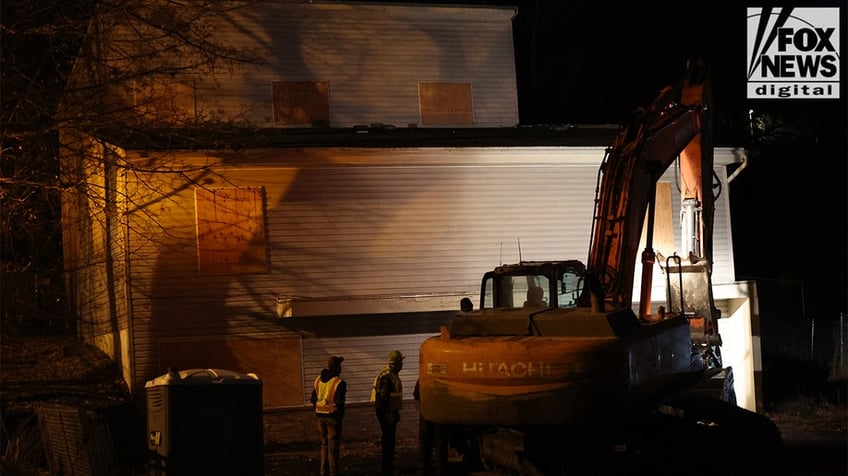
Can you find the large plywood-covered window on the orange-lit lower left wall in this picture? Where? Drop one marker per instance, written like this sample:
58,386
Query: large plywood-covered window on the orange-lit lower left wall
230,230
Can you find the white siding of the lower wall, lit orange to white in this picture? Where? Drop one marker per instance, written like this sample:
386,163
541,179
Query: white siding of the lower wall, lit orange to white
366,231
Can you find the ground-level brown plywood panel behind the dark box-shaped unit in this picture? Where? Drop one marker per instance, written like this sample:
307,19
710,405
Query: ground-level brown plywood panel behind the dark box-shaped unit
277,362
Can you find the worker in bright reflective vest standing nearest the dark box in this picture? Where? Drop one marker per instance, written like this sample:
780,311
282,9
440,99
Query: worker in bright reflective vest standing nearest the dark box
328,400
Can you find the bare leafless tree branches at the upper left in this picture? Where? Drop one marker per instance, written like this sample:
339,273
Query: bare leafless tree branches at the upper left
115,71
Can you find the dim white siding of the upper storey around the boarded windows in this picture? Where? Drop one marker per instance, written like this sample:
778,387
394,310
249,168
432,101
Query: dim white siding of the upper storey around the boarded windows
373,57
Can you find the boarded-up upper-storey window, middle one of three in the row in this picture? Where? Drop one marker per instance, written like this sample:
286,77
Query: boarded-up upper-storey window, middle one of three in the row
301,103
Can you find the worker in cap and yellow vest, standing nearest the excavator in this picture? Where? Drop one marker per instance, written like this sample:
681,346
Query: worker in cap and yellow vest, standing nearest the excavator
387,397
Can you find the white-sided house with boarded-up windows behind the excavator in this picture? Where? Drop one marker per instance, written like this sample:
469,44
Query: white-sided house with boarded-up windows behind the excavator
372,169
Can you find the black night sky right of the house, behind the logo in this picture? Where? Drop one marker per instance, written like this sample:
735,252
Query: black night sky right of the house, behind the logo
589,62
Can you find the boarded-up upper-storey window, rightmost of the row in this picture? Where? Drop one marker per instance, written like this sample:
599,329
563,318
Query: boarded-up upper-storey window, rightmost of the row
445,104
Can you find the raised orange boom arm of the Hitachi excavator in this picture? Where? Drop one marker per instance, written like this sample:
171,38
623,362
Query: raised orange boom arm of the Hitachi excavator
673,126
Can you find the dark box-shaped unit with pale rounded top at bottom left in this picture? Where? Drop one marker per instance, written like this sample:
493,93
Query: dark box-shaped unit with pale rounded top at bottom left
205,421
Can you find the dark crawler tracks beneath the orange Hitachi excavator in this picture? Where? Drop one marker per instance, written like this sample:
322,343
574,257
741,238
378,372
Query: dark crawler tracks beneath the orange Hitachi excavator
691,434
